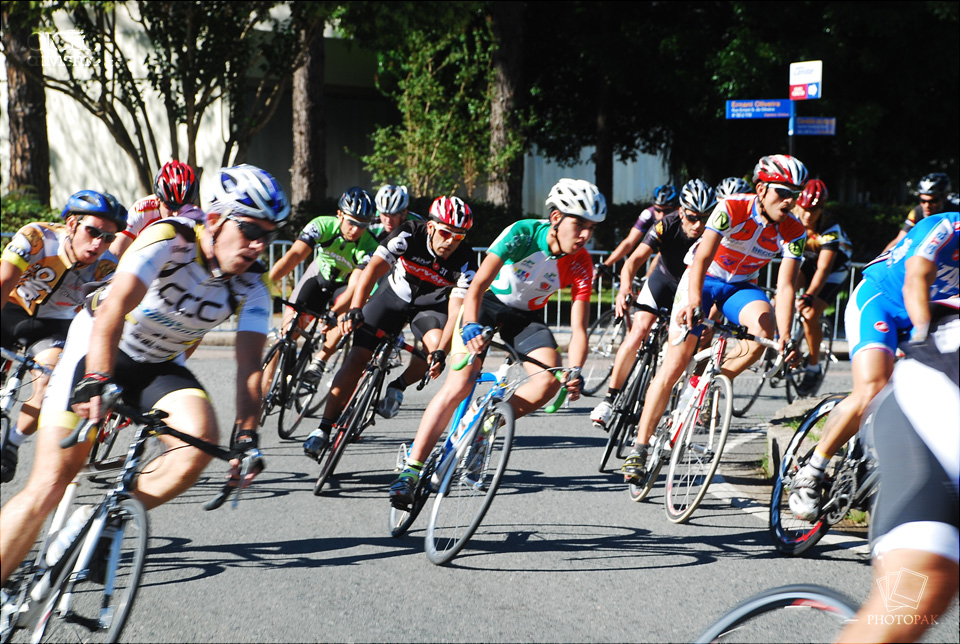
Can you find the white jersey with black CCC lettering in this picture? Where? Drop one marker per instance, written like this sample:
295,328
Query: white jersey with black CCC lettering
184,298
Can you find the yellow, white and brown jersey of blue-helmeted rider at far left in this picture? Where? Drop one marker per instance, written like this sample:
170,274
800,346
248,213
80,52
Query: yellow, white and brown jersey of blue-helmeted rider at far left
51,286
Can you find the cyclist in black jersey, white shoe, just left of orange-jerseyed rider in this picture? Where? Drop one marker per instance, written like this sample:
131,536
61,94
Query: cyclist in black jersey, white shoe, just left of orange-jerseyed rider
672,237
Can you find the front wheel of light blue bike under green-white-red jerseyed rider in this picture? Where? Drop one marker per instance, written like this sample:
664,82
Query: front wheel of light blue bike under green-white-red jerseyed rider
467,489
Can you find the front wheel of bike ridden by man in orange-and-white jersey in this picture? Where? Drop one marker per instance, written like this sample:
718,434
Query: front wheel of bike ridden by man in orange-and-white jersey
697,453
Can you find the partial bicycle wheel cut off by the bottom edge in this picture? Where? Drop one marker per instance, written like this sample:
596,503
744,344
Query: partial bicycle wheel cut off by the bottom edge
816,612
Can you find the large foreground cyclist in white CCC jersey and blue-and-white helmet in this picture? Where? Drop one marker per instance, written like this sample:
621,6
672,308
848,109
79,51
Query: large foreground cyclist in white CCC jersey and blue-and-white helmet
178,280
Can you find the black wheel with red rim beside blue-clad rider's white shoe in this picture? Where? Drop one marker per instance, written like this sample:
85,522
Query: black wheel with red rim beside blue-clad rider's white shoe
792,535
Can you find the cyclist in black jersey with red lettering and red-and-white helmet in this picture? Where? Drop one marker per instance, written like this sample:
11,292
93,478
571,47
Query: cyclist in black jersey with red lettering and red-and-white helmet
429,273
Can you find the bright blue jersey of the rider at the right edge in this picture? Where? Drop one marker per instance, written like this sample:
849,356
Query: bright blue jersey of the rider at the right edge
934,238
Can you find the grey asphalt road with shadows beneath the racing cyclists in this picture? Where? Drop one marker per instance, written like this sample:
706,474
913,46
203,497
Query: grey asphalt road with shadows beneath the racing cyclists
562,556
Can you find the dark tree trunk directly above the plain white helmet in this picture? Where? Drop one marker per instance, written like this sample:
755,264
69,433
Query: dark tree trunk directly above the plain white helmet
506,182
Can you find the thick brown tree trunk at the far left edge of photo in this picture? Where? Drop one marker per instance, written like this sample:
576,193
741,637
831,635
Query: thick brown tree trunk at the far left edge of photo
26,107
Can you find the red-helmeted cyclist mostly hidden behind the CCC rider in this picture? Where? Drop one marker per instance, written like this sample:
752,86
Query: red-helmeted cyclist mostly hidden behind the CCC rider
175,192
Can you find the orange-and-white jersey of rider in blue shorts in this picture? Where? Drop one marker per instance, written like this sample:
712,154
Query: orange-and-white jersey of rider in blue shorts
749,241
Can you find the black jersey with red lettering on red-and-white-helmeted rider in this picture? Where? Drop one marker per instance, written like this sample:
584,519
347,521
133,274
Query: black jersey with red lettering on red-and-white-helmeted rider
419,276
